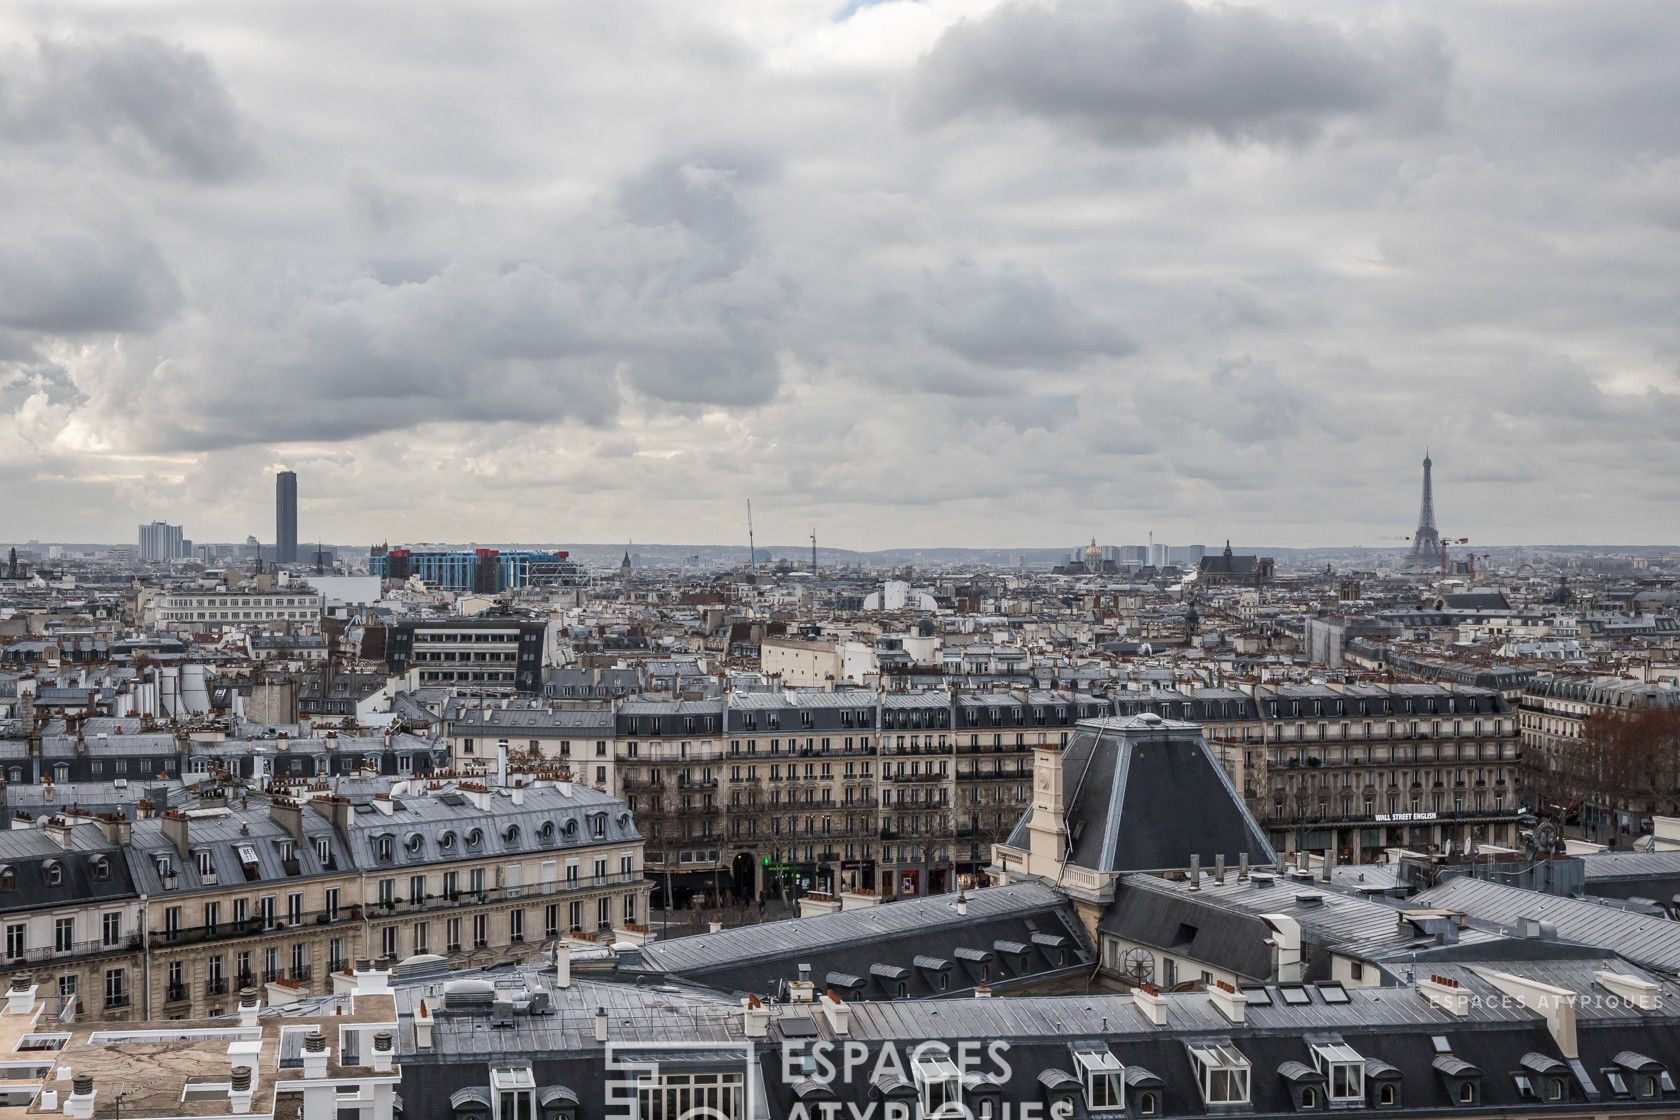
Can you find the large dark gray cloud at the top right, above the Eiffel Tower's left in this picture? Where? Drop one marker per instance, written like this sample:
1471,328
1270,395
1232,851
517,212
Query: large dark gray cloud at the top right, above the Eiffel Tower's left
1147,71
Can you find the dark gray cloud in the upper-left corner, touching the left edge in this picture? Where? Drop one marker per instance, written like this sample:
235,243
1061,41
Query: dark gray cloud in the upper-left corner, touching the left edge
157,105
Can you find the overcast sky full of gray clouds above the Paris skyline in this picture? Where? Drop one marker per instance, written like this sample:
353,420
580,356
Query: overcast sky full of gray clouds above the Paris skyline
952,273
